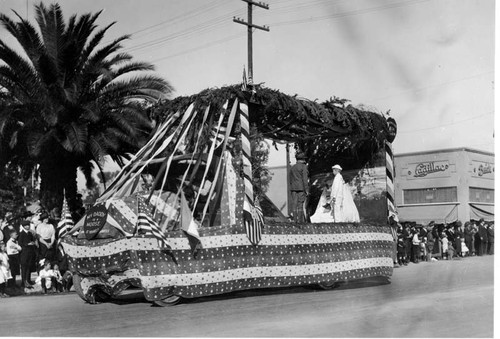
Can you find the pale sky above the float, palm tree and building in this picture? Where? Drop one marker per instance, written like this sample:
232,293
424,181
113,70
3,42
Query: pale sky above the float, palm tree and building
429,62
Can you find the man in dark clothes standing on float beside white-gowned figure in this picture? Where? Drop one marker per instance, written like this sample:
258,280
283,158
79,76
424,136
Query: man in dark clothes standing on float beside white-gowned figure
299,187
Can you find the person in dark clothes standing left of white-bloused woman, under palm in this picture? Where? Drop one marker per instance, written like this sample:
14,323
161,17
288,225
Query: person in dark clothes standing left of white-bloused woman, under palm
28,243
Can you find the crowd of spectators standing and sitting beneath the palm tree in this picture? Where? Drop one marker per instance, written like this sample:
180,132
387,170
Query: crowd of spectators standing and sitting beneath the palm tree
29,245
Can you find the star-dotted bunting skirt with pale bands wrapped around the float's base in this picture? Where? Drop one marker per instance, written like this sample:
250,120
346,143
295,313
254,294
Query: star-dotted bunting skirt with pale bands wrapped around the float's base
228,262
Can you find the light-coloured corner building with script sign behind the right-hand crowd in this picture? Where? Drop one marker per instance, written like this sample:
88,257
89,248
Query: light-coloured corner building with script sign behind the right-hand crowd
445,185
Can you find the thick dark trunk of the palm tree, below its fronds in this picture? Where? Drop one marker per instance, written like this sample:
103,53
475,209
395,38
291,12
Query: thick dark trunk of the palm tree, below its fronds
56,178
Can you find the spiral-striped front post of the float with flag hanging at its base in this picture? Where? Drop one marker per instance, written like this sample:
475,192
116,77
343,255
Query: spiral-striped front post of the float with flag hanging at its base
252,217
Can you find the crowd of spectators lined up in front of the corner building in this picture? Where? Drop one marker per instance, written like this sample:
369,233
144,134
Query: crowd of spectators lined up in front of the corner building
435,242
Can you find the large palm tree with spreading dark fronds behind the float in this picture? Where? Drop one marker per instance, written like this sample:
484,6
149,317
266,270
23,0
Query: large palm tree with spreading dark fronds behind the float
67,99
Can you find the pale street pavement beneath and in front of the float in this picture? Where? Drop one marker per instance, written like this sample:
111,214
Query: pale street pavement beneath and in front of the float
430,299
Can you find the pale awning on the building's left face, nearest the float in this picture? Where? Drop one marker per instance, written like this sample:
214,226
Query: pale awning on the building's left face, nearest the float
427,213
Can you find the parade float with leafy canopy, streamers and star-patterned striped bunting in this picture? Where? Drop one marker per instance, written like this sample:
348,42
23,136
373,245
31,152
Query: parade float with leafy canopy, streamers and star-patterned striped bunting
181,219
